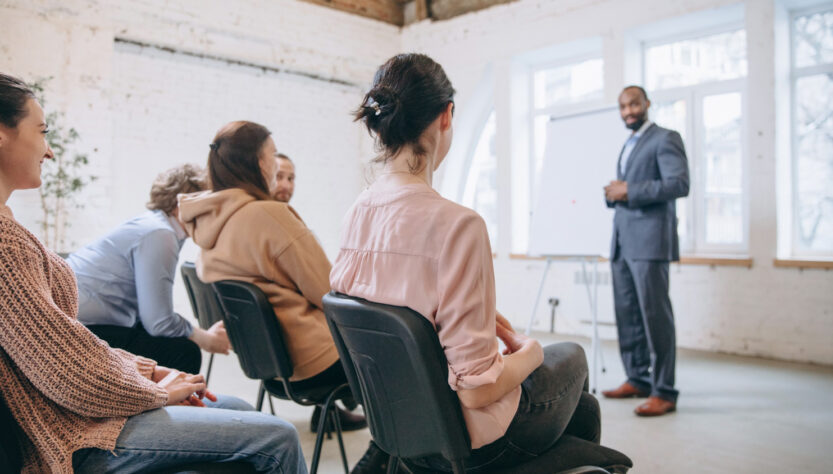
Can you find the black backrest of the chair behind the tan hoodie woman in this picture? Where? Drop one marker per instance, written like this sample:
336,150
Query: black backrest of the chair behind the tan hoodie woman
254,331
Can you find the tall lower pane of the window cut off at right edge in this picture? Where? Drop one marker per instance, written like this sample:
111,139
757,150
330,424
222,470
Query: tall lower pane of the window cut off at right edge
814,165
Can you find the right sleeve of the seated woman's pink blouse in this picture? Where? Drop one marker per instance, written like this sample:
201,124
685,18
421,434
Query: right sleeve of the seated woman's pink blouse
465,318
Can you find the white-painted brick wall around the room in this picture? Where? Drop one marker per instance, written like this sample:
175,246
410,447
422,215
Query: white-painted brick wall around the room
142,110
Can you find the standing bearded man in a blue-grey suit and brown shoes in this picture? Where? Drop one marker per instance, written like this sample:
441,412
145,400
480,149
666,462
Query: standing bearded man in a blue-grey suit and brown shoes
651,174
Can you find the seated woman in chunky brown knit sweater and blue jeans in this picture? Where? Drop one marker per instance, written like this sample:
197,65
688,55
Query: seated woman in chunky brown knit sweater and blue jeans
81,405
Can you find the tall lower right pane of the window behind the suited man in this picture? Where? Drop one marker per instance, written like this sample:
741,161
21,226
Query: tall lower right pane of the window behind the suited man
723,167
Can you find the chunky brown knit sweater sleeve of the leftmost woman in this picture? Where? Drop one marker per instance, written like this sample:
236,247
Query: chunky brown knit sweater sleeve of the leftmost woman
56,353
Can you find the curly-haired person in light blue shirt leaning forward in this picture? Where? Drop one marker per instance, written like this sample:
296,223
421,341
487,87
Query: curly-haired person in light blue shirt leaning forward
125,281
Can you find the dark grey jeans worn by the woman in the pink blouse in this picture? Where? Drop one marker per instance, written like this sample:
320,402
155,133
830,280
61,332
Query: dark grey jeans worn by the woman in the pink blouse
554,401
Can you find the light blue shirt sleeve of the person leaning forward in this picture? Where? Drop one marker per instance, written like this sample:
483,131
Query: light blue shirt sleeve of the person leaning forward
154,264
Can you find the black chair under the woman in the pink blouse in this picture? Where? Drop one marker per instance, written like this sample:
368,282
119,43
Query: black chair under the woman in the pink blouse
396,366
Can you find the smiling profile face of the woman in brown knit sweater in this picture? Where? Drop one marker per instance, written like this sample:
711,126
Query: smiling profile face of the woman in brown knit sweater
24,148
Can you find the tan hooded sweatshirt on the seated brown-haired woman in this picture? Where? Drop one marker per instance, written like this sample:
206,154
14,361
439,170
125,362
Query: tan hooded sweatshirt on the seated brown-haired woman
266,243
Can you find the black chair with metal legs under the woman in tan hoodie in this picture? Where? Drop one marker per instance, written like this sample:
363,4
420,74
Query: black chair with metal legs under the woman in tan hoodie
257,338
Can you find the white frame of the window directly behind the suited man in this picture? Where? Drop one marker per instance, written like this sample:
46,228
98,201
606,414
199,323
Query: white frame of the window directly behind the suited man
693,95
